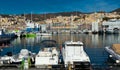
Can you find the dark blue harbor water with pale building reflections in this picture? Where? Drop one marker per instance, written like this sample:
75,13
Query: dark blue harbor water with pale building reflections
93,43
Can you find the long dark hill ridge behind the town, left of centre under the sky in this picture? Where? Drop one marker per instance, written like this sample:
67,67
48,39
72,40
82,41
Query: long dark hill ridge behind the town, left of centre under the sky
39,17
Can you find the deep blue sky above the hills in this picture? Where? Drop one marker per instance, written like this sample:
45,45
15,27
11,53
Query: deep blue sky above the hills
51,6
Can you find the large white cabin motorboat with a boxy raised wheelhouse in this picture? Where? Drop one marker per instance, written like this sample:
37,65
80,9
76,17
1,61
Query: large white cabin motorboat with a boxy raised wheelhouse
73,53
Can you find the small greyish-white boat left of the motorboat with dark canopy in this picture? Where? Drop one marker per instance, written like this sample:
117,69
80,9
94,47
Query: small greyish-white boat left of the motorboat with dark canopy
24,53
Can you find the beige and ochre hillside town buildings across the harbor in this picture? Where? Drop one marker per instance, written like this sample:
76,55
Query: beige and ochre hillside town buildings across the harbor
80,21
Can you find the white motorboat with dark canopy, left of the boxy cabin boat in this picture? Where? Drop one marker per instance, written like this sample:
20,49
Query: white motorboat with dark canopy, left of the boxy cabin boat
48,56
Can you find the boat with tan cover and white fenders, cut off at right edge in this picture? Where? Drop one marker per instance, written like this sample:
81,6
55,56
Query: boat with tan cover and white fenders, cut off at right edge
114,52
